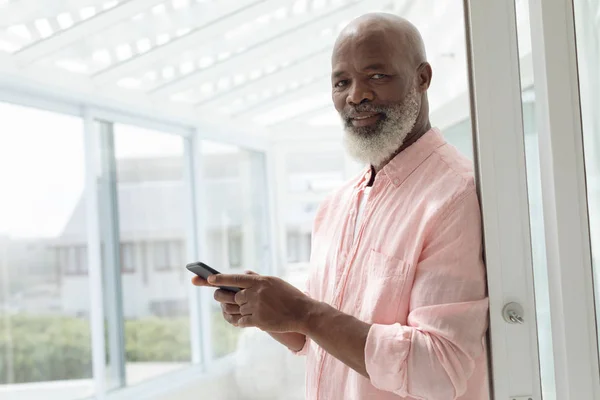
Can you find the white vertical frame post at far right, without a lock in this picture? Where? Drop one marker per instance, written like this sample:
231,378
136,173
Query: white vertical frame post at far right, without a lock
570,273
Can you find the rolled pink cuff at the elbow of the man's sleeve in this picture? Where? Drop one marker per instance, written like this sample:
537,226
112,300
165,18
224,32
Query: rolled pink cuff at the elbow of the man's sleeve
386,351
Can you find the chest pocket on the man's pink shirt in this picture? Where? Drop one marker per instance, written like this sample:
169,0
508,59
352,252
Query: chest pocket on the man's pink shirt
385,279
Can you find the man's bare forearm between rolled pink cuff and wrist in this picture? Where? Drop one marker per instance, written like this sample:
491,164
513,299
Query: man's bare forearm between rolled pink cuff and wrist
339,334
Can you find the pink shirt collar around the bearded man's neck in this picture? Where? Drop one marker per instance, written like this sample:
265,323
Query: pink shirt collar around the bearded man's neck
406,162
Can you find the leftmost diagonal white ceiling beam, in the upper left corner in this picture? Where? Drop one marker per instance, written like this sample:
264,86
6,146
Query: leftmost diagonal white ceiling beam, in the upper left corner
82,29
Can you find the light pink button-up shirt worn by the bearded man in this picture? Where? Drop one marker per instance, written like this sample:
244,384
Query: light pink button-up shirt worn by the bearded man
414,272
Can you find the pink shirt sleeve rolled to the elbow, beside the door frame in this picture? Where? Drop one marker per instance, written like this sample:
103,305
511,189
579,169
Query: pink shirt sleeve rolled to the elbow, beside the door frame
433,355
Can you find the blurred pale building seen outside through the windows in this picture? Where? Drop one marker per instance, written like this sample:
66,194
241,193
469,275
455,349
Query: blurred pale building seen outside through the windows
152,221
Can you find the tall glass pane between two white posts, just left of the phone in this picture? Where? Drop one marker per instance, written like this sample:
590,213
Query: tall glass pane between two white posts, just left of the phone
152,211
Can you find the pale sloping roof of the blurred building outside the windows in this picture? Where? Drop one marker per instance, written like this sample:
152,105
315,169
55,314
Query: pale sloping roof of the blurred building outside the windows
151,198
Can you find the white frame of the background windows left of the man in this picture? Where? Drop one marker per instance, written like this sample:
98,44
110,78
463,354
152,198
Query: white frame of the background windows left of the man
193,134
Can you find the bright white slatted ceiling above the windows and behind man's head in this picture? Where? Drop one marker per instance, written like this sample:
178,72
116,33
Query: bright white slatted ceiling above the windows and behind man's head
256,64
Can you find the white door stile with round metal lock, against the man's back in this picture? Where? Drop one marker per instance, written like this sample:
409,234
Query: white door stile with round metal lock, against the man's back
496,114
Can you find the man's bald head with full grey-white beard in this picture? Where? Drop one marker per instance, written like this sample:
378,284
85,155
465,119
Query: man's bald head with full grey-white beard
380,78
